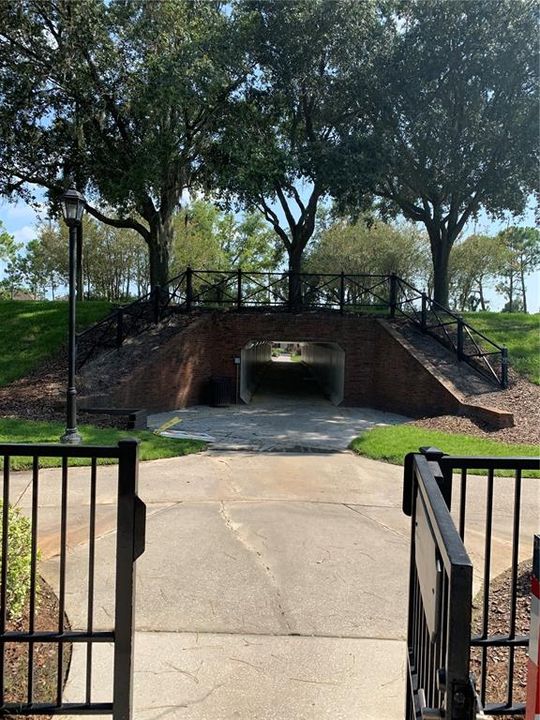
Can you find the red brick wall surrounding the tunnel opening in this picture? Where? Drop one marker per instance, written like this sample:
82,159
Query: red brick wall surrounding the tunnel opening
380,371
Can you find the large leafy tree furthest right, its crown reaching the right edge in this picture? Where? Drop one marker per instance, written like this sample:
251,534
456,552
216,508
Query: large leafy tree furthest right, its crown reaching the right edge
454,119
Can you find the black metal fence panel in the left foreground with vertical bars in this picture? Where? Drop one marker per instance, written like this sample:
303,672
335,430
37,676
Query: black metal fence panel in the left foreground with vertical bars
28,696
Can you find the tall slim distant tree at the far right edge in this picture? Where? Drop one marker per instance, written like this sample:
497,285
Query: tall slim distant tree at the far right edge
520,256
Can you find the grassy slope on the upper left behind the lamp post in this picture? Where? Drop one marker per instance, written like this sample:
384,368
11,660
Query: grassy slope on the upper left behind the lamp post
32,331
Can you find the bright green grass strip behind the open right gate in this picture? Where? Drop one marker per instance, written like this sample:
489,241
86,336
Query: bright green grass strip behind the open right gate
393,442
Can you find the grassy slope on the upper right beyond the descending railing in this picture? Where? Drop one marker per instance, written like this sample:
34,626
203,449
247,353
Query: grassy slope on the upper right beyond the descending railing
519,332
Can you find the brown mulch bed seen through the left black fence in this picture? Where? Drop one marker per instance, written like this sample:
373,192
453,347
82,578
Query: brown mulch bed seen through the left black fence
45,655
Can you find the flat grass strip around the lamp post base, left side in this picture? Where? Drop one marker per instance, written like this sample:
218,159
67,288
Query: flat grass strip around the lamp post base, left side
151,446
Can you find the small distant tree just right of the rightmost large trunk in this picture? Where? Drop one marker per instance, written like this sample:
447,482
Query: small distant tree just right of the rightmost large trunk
473,263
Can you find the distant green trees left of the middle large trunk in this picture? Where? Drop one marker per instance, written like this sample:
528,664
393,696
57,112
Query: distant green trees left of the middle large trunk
115,260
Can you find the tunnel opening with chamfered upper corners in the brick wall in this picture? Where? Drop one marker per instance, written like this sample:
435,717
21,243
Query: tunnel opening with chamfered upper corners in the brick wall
288,371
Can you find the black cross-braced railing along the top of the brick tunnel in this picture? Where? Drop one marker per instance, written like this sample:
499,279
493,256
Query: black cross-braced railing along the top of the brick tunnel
387,295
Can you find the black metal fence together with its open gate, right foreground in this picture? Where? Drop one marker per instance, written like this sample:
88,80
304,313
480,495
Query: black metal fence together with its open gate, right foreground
452,651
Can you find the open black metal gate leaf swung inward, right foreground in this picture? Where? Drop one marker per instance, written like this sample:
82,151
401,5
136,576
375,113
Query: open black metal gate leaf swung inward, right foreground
440,594
